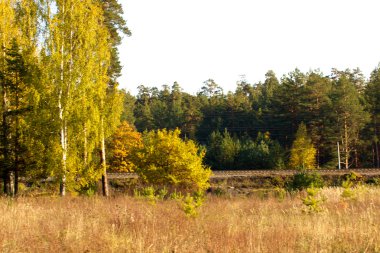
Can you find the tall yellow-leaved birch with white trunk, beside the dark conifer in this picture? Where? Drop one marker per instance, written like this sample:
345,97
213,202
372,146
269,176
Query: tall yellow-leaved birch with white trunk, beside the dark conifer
75,86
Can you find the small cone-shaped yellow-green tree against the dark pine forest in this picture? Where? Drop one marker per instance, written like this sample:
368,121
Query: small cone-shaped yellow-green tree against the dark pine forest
302,153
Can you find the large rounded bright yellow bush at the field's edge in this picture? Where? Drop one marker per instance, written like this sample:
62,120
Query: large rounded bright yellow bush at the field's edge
166,159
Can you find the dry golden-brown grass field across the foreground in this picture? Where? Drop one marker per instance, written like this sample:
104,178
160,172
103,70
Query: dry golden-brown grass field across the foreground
239,224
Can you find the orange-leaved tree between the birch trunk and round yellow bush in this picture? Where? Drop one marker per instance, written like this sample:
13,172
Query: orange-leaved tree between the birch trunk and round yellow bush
125,140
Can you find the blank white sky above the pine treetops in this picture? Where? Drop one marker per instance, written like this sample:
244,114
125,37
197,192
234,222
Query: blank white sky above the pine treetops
191,41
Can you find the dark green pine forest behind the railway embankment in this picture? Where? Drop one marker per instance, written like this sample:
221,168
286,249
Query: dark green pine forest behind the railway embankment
254,126
